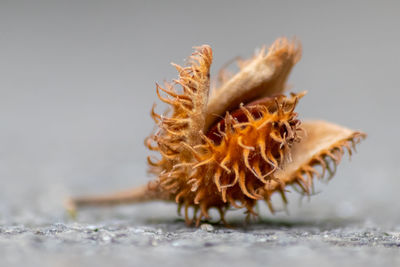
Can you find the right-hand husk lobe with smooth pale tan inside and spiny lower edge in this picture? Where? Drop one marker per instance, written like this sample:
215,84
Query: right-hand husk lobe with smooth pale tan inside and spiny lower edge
323,144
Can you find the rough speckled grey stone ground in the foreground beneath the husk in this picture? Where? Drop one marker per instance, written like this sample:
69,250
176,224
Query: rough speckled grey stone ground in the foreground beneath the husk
166,241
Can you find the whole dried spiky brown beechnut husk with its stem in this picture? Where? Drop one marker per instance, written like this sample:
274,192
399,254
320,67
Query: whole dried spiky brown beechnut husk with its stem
238,147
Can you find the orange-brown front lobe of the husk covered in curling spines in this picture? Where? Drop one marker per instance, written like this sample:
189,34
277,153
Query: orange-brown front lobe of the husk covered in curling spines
240,167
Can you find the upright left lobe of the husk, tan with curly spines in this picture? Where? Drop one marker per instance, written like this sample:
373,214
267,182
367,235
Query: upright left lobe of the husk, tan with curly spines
185,122
